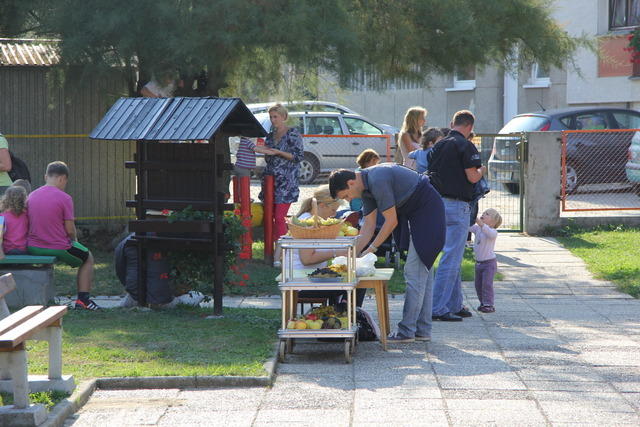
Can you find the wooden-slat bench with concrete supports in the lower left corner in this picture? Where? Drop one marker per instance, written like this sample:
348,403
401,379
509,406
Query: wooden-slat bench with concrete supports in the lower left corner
29,323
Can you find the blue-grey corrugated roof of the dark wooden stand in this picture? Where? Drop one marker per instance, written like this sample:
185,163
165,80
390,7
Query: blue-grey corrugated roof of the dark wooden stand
176,119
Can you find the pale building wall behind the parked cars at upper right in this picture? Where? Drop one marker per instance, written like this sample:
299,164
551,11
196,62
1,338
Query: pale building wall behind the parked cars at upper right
571,86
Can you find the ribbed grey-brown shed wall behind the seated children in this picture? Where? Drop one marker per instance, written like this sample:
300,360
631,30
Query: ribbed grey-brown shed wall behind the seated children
99,183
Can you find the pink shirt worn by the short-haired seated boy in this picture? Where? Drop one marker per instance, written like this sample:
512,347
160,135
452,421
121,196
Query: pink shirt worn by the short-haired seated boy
49,208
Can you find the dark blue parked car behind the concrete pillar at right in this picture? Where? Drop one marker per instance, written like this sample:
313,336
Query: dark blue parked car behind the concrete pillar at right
582,149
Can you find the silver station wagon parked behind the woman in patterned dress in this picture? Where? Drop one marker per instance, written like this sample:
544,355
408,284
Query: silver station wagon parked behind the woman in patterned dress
323,154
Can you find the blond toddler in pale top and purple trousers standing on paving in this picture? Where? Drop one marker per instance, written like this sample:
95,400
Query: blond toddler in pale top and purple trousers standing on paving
486,264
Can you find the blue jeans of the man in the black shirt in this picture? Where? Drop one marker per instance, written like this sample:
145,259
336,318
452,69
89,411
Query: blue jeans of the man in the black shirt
447,289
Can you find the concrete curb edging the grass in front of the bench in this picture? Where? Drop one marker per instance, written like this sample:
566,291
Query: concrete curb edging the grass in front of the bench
80,397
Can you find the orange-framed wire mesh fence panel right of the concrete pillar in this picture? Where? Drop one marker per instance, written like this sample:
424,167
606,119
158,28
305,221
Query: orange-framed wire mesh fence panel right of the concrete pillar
600,170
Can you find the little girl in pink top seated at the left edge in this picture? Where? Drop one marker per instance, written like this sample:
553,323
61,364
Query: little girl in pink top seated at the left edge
16,221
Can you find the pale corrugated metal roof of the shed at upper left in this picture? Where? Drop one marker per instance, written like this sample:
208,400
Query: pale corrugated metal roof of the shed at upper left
28,52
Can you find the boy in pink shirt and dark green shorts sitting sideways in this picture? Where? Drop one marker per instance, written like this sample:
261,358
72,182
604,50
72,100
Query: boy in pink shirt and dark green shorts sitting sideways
52,230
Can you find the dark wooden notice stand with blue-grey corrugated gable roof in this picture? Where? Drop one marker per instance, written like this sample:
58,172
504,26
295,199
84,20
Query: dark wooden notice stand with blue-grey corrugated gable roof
182,159
